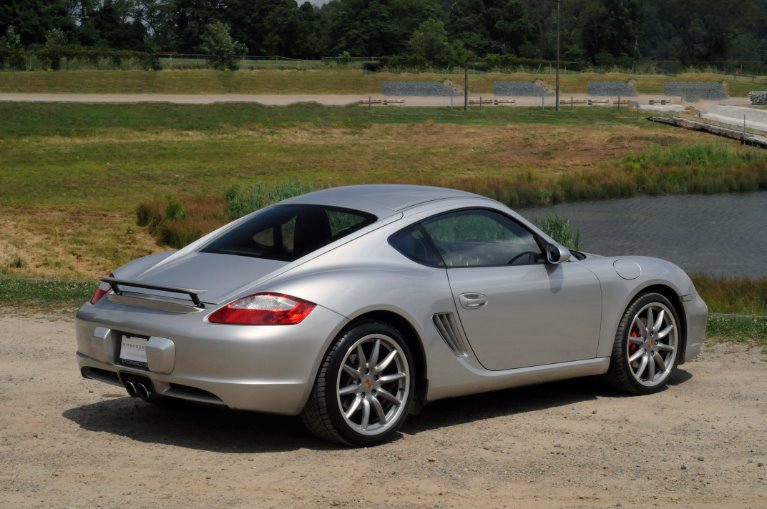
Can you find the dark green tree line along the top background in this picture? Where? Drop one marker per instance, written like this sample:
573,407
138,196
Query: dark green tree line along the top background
405,32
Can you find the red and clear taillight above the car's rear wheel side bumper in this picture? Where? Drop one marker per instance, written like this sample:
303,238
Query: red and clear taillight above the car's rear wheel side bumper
264,309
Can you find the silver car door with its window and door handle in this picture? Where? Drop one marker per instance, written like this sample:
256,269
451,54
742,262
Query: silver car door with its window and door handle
516,310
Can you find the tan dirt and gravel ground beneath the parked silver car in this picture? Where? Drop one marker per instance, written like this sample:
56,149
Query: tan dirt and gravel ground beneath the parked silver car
69,442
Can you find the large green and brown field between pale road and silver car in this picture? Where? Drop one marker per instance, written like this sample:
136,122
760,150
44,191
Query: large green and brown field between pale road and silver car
73,174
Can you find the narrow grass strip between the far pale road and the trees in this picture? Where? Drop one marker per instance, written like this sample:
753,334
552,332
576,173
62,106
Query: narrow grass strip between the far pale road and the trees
322,81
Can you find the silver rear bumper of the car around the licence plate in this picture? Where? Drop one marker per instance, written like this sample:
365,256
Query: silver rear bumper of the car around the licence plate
260,368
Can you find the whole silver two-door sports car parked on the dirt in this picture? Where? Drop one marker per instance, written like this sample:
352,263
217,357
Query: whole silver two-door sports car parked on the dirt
354,306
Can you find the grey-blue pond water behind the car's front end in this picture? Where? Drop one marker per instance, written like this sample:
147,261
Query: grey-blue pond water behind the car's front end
723,234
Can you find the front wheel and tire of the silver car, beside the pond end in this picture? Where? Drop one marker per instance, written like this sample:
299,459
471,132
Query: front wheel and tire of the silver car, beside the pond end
643,359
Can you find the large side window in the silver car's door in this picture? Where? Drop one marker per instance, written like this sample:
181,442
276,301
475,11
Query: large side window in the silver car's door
480,238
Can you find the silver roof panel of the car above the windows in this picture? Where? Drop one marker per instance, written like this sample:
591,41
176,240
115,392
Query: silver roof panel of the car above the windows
381,200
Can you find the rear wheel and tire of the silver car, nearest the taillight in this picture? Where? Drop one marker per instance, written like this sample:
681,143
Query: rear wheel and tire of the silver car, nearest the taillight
364,387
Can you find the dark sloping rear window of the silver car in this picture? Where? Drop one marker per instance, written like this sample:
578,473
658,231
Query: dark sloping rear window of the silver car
288,232
